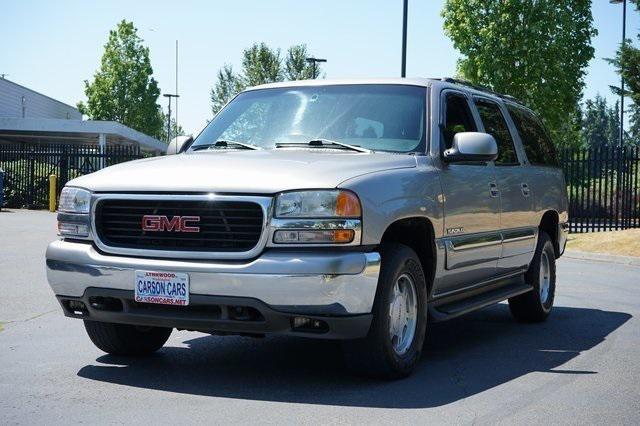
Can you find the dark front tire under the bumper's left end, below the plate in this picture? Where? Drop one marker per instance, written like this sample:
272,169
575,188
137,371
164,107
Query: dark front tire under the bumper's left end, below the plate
124,339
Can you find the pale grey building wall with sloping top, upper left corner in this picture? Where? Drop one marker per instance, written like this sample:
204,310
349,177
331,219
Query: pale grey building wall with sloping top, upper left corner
35,105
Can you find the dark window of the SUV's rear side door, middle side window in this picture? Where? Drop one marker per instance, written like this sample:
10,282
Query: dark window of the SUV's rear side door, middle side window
496,126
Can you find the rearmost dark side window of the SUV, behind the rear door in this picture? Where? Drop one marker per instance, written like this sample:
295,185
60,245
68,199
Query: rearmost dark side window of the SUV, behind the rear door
536,141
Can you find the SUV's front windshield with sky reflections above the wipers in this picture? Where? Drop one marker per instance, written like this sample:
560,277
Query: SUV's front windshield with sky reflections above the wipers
376,117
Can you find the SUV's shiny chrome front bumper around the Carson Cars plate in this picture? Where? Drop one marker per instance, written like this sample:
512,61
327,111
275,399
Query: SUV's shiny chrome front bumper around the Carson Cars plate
322,282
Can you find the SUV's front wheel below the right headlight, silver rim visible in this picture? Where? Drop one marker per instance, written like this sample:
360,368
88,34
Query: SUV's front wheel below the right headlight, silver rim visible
393,346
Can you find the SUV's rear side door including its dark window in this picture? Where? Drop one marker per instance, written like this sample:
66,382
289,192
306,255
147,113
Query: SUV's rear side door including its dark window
516,195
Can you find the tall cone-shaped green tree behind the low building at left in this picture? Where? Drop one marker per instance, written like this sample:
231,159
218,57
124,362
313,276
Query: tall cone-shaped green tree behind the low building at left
123,88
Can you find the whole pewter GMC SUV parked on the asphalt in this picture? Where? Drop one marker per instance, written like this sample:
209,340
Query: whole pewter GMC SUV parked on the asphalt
354,210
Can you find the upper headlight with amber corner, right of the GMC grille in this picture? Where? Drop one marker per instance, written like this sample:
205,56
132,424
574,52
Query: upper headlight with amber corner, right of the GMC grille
318,204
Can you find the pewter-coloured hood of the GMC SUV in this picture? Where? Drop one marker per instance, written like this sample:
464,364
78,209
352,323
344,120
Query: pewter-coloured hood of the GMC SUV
234,171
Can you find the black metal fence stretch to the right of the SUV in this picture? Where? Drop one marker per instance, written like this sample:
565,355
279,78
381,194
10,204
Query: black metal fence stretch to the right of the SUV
603,186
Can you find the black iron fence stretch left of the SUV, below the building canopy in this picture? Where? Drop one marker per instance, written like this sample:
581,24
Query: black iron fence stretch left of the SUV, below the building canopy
27,168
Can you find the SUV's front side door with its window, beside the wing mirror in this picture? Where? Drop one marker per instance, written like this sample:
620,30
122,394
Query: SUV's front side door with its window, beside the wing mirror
471,204
